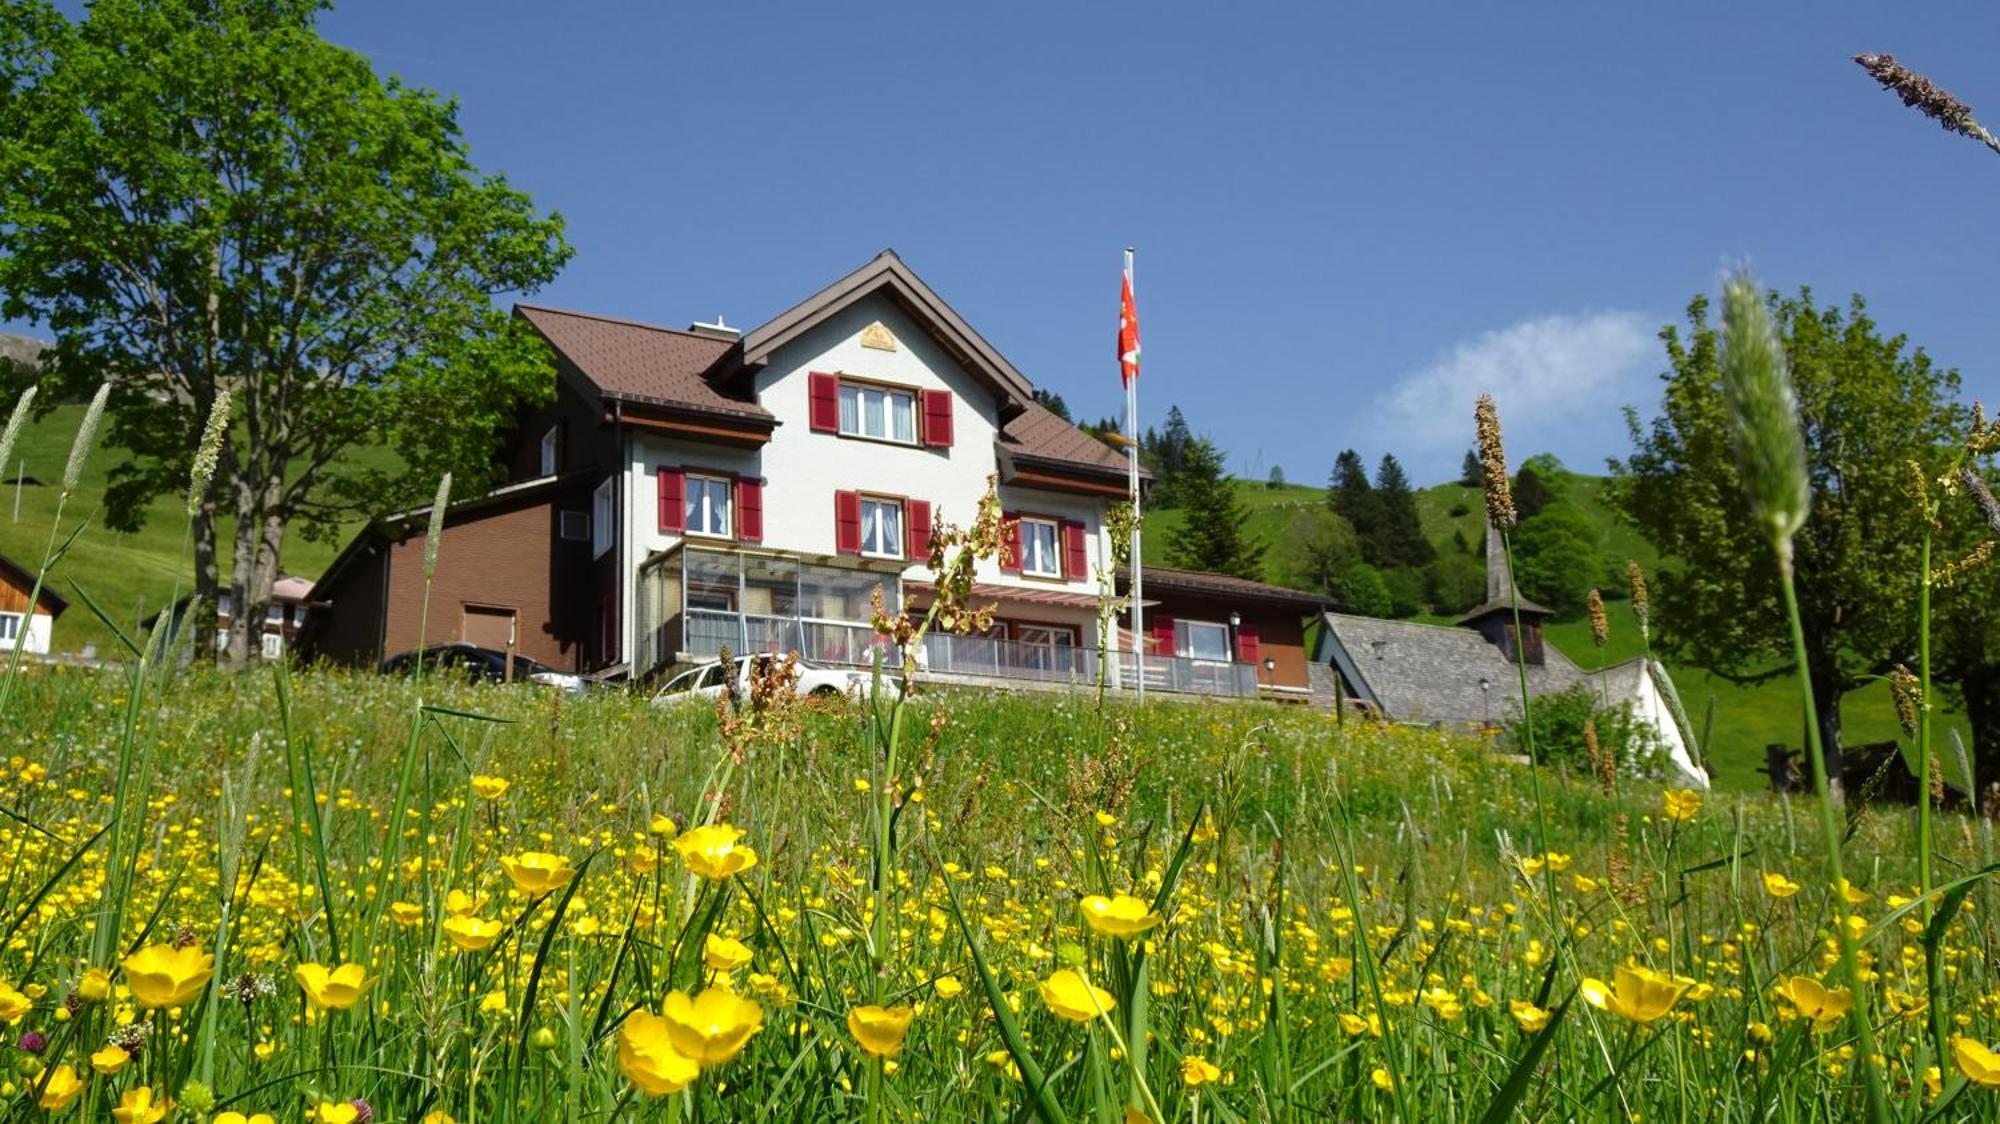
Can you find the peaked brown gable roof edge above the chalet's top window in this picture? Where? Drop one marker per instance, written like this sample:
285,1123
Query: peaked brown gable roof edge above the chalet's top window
889,275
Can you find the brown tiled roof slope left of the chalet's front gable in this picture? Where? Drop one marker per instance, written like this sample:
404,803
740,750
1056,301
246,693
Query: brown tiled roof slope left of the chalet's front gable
641,363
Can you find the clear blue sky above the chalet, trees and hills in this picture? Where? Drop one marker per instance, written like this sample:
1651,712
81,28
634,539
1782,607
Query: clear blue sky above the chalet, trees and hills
1349,217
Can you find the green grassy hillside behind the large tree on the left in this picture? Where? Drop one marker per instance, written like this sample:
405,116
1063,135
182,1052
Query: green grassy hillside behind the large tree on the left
129,575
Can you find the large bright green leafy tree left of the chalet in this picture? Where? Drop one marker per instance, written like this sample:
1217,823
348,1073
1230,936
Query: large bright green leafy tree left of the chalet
205,199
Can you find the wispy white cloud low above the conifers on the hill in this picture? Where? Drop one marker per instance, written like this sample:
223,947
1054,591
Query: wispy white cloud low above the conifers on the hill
1561,383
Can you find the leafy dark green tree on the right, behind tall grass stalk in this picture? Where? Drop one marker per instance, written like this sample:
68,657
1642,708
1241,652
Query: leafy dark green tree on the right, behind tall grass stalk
1869,405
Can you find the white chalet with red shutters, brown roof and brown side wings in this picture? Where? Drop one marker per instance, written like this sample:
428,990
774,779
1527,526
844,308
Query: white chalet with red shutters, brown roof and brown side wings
691,491
